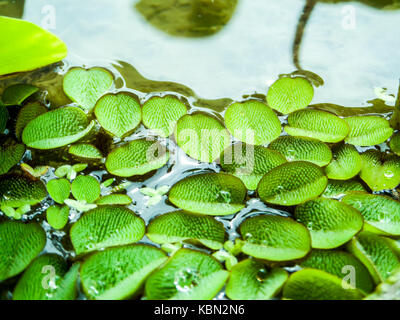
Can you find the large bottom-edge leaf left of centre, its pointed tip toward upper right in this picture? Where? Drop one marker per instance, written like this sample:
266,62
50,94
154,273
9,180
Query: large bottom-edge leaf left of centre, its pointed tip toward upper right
118,273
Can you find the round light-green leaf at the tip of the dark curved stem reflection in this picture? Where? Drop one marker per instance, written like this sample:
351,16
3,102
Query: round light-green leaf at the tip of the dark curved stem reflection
290,94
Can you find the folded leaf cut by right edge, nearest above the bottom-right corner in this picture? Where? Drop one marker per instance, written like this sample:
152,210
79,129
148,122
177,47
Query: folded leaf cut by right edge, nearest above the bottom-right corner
376,254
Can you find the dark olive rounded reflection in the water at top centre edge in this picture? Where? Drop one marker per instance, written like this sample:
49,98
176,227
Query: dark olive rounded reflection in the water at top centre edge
187,18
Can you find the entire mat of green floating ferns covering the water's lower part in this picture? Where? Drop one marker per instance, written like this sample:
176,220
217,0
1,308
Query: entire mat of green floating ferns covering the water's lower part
144,190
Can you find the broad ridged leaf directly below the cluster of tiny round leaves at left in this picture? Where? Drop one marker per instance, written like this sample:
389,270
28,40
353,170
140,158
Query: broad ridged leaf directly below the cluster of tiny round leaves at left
104,227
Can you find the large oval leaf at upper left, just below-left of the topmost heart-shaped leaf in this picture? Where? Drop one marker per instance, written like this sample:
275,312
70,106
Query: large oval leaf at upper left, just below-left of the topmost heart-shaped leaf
56,128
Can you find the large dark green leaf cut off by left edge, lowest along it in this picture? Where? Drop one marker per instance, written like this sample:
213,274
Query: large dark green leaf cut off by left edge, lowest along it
20,244
